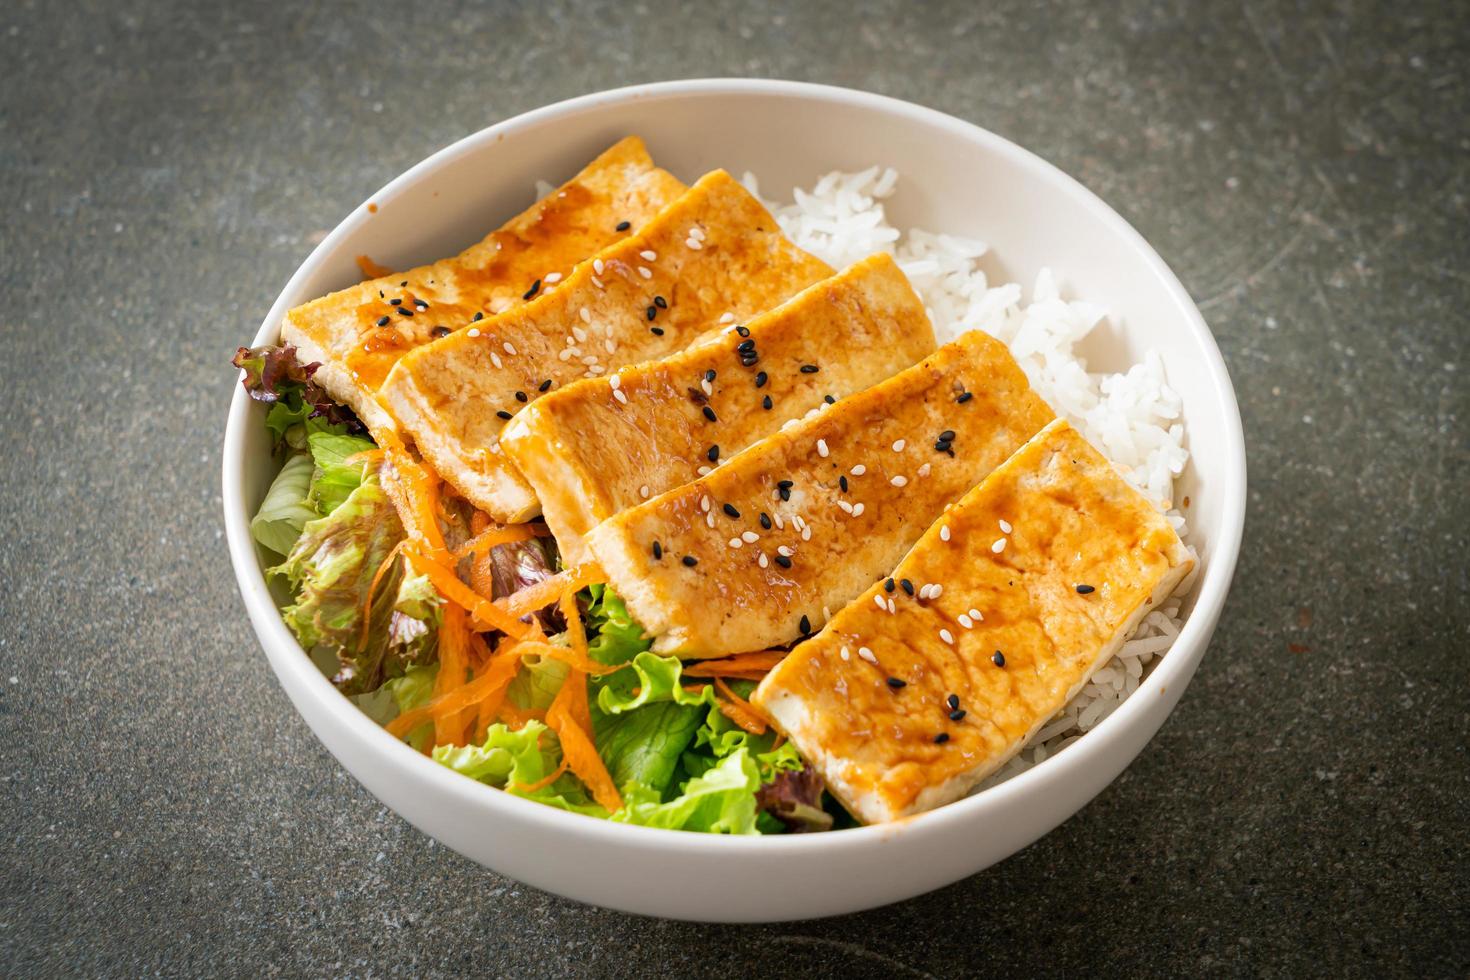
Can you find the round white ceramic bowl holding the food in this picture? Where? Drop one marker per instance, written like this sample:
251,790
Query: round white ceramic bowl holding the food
956,179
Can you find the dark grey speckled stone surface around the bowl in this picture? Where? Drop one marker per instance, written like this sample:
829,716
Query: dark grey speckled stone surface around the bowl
1302,167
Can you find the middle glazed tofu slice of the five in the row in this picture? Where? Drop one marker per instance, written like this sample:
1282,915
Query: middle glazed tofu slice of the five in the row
606,444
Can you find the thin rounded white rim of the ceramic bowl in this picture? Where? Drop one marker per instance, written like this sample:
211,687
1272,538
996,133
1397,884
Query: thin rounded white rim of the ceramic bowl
296,669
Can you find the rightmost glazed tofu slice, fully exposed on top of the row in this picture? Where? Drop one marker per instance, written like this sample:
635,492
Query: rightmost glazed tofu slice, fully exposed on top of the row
906,702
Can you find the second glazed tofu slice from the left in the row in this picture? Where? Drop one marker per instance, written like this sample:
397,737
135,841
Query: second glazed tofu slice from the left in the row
714,253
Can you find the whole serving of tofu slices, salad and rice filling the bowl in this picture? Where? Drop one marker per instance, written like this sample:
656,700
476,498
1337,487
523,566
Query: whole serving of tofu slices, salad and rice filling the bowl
674,506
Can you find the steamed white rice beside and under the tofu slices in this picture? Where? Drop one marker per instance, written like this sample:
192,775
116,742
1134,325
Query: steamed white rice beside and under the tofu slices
1134,418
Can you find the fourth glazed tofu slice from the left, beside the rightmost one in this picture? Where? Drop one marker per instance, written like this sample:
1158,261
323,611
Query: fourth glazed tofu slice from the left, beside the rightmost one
846,494
